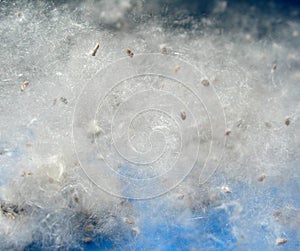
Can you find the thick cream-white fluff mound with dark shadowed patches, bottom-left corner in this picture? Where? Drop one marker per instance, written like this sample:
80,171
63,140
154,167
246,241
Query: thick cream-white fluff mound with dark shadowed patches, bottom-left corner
56,207
